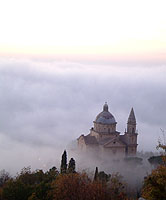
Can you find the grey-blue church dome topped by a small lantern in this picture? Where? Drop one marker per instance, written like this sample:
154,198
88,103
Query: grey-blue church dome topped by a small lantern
105,117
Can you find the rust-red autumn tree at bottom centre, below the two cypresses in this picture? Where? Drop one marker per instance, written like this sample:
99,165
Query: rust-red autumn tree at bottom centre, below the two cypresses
76,186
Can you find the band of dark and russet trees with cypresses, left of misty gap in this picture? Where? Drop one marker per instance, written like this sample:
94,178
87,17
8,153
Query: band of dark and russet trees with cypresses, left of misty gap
67,185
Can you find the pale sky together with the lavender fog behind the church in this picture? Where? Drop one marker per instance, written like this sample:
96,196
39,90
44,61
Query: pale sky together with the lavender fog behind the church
60,61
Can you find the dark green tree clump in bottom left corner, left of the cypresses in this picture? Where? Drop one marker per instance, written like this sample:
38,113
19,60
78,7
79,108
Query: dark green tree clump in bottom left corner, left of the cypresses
27,184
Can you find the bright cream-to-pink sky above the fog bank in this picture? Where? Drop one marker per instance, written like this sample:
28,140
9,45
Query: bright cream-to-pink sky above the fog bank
109,29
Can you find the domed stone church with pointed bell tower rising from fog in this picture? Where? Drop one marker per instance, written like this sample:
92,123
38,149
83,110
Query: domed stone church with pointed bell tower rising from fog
104,139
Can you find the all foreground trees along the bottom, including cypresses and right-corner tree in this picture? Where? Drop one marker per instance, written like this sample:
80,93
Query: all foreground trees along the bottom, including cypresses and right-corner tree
67,184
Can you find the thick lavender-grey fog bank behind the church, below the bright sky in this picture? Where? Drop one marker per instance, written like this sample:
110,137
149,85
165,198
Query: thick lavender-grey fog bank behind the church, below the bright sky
45,105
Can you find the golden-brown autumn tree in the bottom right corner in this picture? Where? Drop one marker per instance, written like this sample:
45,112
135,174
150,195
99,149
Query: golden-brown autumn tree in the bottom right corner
155,184
